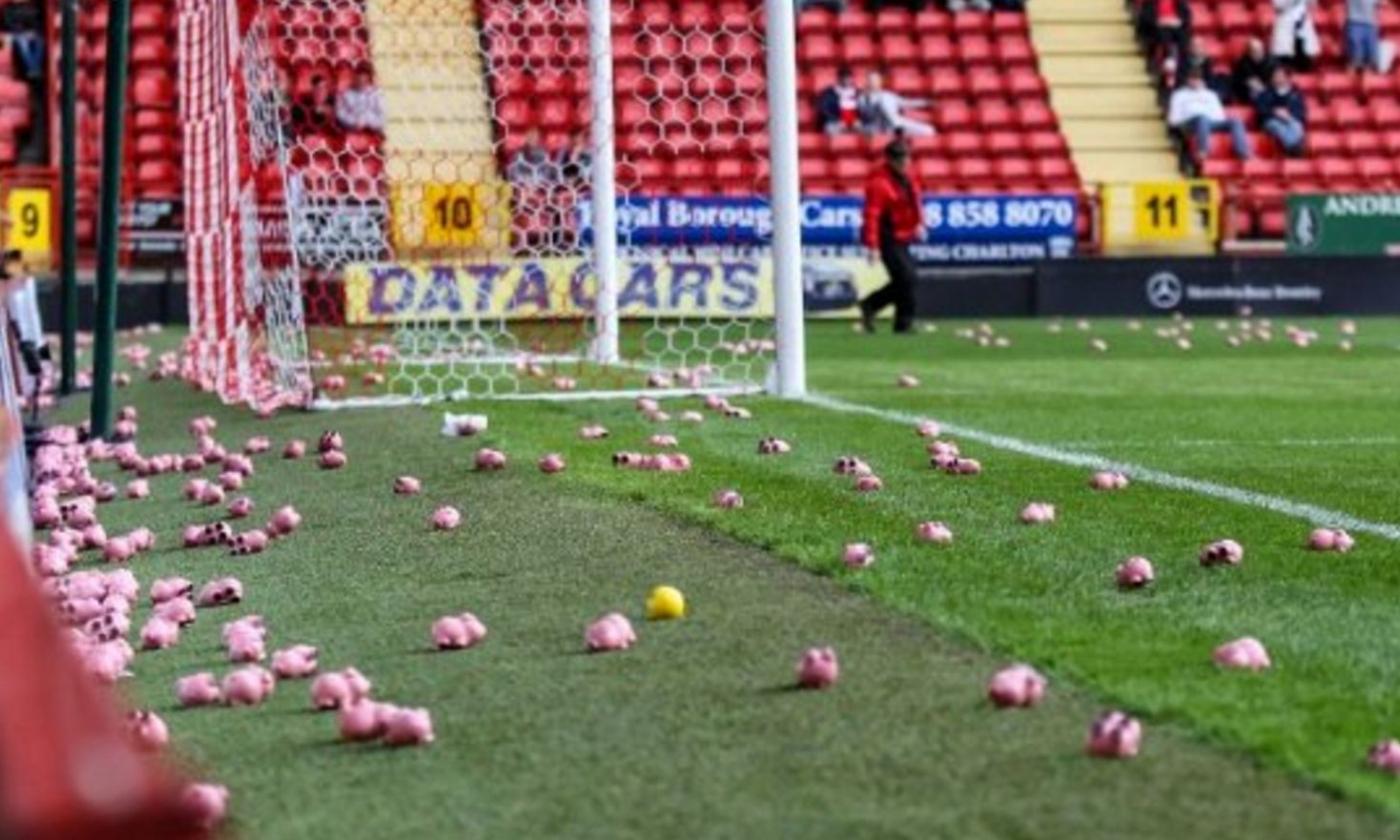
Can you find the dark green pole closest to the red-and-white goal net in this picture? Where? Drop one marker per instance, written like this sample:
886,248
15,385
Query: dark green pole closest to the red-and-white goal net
104,345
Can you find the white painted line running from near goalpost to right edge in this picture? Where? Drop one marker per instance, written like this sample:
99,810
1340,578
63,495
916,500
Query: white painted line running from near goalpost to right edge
1300,510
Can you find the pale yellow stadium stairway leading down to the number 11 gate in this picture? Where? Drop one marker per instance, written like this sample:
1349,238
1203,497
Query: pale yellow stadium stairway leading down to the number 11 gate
1107,106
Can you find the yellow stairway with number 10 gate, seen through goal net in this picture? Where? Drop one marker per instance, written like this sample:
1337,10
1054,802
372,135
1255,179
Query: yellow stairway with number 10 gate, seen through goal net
429,68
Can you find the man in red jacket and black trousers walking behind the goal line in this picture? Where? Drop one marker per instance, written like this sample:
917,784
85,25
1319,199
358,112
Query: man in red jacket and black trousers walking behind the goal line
894,220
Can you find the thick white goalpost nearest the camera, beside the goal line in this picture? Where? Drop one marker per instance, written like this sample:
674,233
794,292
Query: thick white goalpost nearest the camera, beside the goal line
787,226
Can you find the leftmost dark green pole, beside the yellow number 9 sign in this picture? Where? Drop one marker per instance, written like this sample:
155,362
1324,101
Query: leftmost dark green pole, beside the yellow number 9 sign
69,190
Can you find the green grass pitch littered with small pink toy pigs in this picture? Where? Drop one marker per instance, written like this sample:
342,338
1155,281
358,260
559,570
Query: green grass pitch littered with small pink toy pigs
694,733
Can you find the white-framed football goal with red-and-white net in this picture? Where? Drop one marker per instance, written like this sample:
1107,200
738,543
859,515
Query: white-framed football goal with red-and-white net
408,201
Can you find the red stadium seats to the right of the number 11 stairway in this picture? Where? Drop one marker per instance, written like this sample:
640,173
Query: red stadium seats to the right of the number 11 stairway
1354,120
